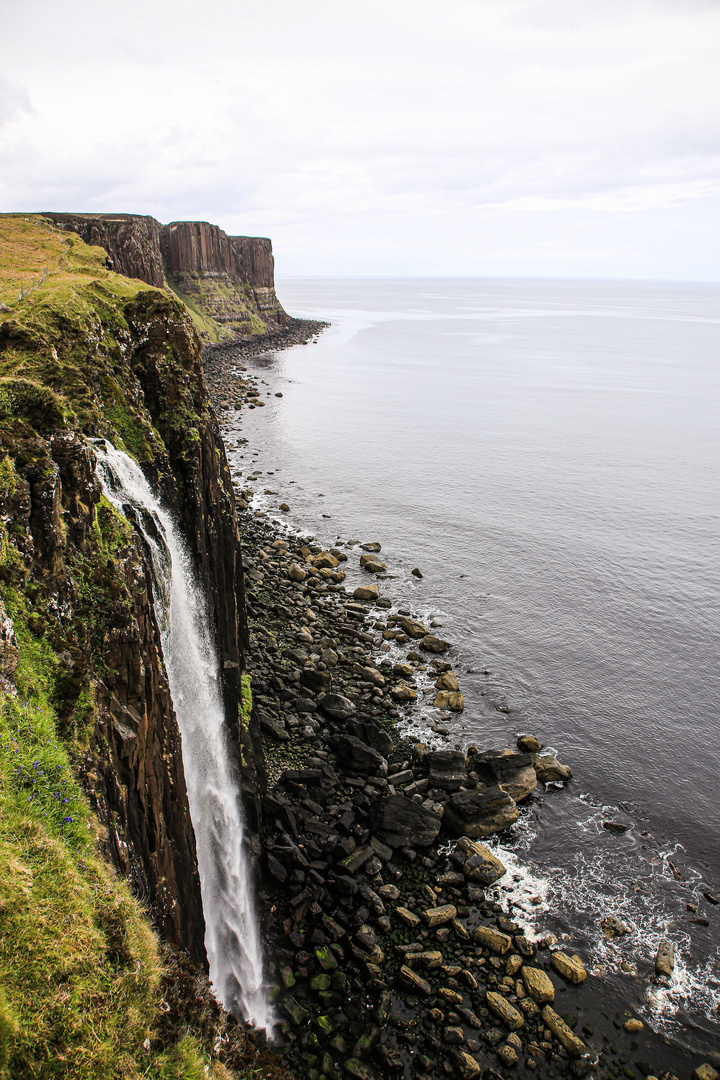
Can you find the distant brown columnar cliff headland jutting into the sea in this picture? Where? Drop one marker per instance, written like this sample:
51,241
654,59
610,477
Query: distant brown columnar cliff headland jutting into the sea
227,282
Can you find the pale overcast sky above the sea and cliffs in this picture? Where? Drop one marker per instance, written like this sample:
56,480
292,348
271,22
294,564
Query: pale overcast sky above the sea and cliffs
525,138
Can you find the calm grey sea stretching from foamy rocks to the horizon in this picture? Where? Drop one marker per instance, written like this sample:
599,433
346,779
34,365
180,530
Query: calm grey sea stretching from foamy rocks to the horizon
548,455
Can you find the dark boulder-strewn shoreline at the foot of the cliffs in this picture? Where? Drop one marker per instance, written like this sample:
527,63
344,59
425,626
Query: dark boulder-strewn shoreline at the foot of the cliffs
393,930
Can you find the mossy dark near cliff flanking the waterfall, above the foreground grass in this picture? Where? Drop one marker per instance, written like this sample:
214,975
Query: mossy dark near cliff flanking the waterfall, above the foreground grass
110,359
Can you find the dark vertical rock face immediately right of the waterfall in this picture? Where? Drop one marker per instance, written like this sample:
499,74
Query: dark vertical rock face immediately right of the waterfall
169,368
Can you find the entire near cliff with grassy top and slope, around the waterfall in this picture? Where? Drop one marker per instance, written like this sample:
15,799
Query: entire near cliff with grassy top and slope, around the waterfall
92,786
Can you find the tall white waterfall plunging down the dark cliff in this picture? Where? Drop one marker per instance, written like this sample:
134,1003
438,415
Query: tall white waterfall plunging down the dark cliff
232,934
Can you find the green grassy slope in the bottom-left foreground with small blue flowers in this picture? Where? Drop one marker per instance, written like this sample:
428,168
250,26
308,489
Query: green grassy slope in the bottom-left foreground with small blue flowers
80,968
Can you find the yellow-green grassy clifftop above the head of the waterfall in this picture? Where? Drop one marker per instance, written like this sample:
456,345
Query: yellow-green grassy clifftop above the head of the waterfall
59,302
